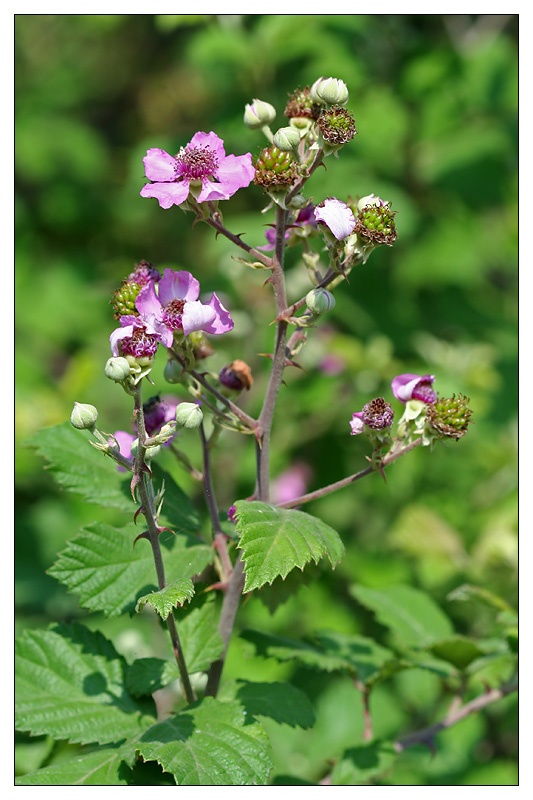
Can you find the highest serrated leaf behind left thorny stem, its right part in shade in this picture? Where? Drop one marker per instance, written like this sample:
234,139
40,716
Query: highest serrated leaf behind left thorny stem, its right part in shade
80,468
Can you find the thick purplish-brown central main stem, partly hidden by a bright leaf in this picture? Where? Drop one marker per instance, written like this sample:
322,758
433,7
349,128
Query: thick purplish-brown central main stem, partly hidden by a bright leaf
262,492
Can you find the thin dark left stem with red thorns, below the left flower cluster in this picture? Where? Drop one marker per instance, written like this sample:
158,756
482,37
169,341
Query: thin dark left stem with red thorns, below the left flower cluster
146,496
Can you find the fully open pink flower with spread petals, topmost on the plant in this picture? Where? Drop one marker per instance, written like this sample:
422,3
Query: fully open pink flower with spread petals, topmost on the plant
202,167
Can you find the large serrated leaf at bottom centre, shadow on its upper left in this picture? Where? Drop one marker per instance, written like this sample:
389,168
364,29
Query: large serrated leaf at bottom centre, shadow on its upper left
210,744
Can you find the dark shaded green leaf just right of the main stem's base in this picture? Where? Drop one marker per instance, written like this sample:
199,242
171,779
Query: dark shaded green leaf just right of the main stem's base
282,702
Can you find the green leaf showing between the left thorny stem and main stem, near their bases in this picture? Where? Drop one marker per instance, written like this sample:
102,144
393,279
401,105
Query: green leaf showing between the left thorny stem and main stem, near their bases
198,630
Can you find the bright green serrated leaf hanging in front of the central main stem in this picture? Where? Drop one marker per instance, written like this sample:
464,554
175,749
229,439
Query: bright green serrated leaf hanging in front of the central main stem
275,540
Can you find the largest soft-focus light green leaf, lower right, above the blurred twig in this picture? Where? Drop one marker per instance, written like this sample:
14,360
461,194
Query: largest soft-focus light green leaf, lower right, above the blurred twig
411,614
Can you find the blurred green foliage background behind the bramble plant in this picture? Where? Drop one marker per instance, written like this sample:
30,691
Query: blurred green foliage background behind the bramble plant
435,103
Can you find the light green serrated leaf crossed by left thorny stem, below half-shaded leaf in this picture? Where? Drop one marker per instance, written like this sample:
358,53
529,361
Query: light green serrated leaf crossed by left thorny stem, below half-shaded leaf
109,574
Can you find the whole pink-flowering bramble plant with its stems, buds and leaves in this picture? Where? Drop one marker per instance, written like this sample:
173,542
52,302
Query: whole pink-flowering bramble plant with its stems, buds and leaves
73,684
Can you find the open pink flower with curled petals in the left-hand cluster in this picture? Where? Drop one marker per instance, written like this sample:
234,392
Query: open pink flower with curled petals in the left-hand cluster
177,307
